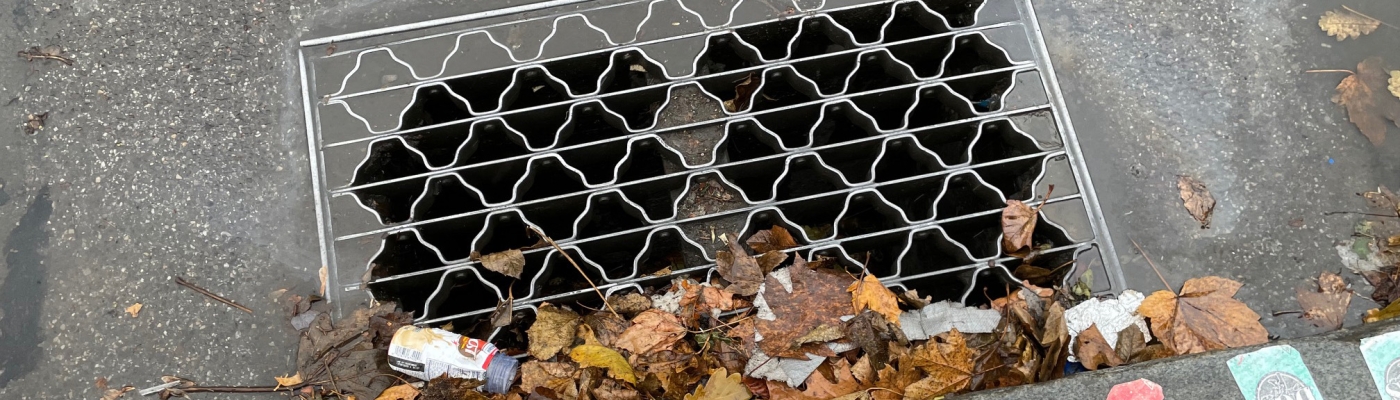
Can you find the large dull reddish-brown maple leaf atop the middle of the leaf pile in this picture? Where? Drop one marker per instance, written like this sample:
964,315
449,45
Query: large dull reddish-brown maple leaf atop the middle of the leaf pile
810,306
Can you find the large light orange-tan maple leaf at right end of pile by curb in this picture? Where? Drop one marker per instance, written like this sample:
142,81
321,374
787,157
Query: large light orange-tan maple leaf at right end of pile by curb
1205,317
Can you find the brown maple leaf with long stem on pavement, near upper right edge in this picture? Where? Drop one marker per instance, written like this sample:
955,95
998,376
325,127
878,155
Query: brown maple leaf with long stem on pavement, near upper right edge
1366,97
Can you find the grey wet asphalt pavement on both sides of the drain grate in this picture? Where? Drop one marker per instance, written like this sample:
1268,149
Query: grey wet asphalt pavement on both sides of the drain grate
174,148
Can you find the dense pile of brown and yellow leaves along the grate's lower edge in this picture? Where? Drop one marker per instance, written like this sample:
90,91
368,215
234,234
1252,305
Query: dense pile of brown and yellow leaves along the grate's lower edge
773,325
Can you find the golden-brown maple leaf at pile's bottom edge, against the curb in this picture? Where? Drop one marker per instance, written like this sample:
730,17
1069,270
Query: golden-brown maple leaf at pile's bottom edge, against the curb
950,367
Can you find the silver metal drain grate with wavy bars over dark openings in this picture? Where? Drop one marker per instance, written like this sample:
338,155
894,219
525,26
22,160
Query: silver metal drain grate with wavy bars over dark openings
635,134
